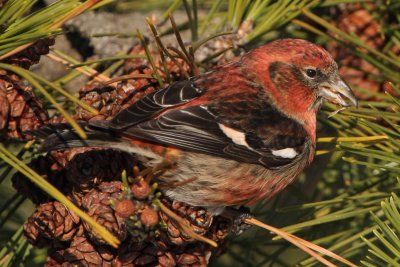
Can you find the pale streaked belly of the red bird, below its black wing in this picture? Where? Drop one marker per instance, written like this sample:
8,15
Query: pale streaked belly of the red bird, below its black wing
203,180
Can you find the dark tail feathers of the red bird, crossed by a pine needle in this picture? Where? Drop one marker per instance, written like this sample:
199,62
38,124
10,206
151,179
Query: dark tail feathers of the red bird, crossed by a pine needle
63,136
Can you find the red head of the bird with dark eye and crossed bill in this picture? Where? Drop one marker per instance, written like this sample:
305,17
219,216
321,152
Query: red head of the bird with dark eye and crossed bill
298,76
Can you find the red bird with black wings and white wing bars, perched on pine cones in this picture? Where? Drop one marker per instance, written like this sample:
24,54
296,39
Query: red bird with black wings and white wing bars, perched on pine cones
235,135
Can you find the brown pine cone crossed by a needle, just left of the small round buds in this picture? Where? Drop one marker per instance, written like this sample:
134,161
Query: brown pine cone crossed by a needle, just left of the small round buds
97,204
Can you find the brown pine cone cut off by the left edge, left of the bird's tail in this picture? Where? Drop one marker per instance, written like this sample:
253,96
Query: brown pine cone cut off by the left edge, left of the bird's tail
21,110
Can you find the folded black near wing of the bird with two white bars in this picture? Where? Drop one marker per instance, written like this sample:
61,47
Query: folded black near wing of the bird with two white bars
196,129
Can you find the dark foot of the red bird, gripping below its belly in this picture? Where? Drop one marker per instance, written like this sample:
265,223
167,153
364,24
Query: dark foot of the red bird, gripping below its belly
238,218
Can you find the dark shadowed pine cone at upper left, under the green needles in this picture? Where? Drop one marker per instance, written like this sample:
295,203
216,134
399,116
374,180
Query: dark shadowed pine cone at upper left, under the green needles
31,55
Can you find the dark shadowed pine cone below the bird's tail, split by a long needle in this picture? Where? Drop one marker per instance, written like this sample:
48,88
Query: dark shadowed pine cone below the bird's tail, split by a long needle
49,169
